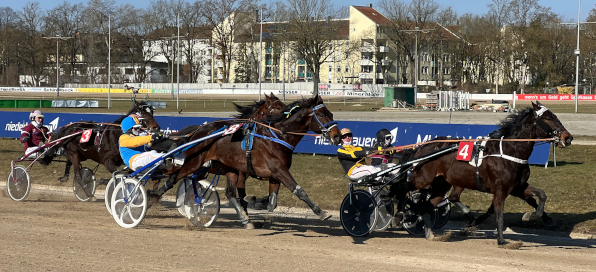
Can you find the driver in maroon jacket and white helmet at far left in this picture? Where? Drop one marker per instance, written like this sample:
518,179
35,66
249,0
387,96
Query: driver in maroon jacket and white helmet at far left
34,134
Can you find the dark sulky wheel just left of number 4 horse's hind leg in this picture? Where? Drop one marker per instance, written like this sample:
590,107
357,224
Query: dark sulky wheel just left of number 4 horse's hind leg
413,222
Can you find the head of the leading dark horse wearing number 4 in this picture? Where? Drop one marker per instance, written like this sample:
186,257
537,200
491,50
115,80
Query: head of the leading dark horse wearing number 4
550,125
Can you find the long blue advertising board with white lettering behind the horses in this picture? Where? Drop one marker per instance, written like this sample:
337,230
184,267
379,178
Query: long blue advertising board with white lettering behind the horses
364,132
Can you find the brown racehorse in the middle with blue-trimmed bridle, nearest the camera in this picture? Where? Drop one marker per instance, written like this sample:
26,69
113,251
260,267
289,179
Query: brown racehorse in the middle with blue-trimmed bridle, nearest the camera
270,159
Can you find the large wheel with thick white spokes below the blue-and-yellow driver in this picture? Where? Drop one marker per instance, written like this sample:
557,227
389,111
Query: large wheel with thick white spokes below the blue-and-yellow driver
129,203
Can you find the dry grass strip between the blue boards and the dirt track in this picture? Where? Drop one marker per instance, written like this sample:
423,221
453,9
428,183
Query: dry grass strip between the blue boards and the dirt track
571,186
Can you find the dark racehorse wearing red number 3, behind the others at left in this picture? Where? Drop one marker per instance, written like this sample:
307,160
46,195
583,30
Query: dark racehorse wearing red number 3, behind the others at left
102,147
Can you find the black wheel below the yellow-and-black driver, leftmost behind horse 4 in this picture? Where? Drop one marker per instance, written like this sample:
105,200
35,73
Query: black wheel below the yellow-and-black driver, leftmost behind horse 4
358,216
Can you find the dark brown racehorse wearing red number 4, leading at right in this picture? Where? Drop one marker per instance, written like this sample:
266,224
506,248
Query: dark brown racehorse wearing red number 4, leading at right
503,169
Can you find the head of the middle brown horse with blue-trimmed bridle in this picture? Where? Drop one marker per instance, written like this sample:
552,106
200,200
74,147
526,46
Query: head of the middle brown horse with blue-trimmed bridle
322,120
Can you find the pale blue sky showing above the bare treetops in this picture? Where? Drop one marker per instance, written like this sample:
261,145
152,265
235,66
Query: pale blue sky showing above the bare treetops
567,8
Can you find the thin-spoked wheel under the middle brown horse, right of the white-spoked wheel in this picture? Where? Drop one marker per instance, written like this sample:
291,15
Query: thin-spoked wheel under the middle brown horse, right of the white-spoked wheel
201,214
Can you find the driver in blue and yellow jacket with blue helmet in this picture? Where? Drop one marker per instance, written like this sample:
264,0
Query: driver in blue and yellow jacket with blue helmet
132,144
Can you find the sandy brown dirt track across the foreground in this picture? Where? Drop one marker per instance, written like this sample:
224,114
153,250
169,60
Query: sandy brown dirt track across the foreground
56,232
